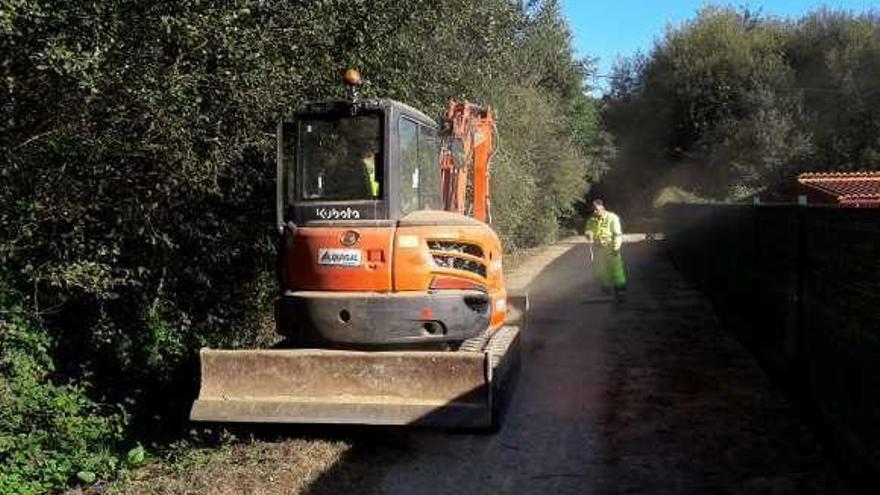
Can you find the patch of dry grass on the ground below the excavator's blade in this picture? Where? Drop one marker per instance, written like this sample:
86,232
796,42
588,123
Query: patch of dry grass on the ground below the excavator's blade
328,463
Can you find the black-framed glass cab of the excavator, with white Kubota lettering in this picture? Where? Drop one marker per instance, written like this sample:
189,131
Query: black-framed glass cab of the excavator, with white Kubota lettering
365,160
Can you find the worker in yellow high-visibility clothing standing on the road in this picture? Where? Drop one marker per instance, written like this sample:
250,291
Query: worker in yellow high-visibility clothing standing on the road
605,238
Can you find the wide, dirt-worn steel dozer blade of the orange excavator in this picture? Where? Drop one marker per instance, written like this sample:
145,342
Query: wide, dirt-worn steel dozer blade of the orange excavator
447,389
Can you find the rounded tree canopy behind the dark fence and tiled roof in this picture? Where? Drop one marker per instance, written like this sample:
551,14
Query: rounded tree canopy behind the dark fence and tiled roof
734,103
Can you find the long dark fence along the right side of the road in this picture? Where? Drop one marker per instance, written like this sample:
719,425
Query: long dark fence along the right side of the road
800,286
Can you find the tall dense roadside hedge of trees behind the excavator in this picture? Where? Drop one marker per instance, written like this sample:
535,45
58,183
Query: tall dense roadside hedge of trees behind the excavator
136,184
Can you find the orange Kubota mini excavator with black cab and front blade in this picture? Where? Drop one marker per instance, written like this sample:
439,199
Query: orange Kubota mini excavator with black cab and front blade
392,303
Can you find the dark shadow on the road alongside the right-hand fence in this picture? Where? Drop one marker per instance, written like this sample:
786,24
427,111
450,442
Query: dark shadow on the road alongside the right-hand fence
688,410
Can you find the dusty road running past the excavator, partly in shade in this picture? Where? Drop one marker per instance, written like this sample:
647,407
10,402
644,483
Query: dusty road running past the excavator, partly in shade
648,396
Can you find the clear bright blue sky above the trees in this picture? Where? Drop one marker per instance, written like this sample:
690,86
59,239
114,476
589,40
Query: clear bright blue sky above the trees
611,28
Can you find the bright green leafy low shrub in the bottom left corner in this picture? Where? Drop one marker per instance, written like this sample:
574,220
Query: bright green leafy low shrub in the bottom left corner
50,431
